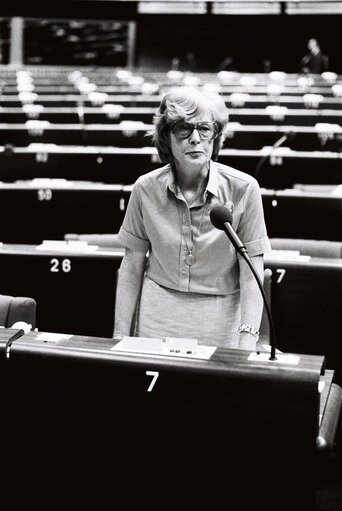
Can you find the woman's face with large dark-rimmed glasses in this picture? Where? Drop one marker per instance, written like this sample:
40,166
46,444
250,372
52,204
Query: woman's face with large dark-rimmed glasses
195,150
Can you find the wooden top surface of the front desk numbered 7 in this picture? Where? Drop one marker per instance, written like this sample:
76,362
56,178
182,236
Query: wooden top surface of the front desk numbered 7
307,367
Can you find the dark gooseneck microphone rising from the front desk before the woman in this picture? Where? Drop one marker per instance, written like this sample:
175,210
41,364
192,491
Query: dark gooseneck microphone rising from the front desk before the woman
221,218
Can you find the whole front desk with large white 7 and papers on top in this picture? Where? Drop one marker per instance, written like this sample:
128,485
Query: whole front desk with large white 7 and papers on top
155,424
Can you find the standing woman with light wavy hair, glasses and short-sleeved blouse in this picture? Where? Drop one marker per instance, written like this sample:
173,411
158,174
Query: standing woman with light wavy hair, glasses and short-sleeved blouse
183,275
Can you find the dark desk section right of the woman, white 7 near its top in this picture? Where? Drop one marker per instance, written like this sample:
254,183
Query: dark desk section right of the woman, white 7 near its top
306,298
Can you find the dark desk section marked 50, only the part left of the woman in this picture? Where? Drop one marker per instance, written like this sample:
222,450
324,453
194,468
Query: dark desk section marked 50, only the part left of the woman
48,211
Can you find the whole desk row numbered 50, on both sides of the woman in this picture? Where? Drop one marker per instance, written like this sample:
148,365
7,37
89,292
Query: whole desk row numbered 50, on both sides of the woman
48,209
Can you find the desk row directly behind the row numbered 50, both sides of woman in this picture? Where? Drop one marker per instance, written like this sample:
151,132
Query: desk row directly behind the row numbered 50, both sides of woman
282,167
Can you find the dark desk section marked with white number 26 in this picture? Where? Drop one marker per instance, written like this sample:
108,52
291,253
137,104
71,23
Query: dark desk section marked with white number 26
74,291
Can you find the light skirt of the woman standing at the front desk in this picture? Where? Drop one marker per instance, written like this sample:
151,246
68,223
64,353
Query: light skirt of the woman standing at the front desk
211,319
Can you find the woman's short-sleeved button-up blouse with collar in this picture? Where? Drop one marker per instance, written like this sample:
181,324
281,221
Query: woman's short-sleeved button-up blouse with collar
159,221
